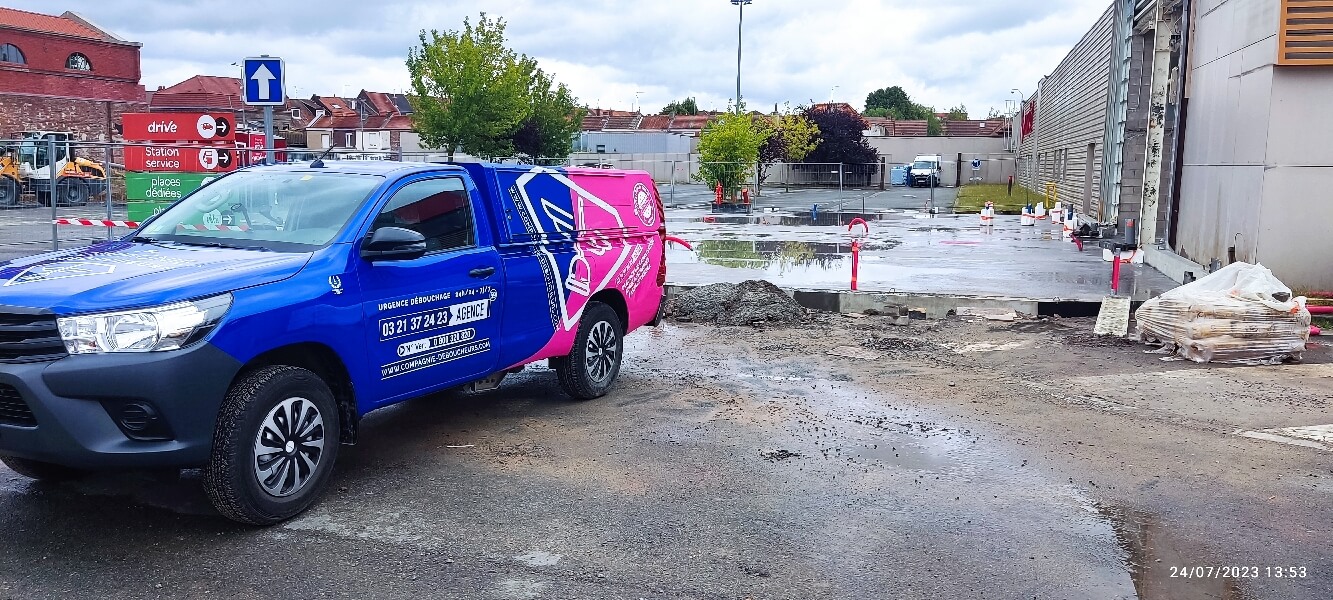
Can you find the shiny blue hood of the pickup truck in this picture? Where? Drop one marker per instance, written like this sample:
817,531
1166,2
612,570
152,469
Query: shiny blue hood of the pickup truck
118,275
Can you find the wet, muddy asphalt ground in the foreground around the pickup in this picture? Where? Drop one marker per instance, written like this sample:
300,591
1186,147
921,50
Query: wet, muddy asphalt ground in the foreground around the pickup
750,465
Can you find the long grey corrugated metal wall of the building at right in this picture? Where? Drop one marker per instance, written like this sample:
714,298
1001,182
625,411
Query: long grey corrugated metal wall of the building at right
1072,106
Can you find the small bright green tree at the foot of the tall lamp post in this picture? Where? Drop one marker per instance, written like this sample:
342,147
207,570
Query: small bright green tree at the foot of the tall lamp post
728,151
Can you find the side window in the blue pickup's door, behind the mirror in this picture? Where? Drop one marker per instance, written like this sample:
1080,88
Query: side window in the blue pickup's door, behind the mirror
438,209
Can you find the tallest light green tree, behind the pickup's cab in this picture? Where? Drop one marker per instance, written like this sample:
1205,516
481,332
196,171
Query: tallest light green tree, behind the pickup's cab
469,90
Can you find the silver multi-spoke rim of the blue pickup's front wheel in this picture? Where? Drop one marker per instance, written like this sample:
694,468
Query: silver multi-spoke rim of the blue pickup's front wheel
289,447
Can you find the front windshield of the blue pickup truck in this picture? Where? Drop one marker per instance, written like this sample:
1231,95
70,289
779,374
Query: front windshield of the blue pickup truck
283,211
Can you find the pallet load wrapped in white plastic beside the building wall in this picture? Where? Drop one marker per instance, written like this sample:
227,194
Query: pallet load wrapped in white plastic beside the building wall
1242,314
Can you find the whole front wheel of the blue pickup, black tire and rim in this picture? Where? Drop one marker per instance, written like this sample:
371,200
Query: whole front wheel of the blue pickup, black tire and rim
258,414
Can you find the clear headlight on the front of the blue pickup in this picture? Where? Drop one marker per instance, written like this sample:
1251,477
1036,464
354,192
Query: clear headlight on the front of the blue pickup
151,330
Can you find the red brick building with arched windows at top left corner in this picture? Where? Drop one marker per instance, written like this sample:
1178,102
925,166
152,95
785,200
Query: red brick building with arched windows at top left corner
65,74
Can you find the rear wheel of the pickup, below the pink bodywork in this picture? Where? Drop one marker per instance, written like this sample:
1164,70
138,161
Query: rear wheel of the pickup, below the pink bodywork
594,363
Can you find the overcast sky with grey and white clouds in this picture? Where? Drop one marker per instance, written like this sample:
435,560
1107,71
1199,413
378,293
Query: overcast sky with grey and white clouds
943,53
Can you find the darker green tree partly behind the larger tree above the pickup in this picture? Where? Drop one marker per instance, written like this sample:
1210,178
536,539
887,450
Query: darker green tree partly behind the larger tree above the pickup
553,121
